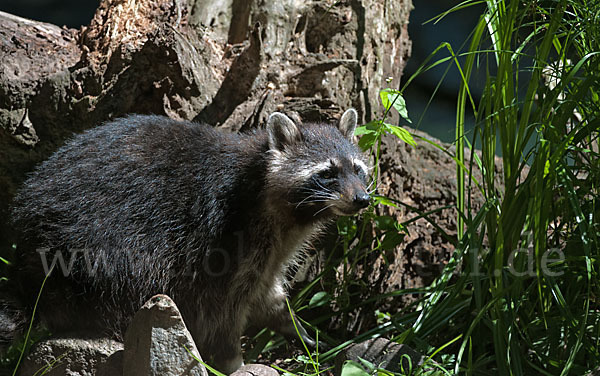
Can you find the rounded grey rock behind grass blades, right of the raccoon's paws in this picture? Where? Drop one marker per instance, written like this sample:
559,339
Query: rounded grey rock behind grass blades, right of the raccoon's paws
381,353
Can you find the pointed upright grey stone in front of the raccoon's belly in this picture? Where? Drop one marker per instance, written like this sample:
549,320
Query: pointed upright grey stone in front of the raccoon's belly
157,342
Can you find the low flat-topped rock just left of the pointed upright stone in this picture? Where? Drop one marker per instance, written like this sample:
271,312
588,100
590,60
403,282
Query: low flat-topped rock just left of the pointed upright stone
70,356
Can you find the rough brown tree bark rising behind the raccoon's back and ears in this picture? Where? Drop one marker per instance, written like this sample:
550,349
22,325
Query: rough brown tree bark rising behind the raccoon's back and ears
225,62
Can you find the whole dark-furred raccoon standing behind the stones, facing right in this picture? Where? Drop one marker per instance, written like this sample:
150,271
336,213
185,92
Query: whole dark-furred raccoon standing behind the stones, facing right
145,205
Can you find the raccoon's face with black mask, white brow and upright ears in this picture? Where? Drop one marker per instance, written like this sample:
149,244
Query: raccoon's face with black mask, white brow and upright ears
316,168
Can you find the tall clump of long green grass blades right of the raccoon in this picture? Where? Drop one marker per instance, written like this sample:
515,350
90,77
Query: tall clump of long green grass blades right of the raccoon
522,289
